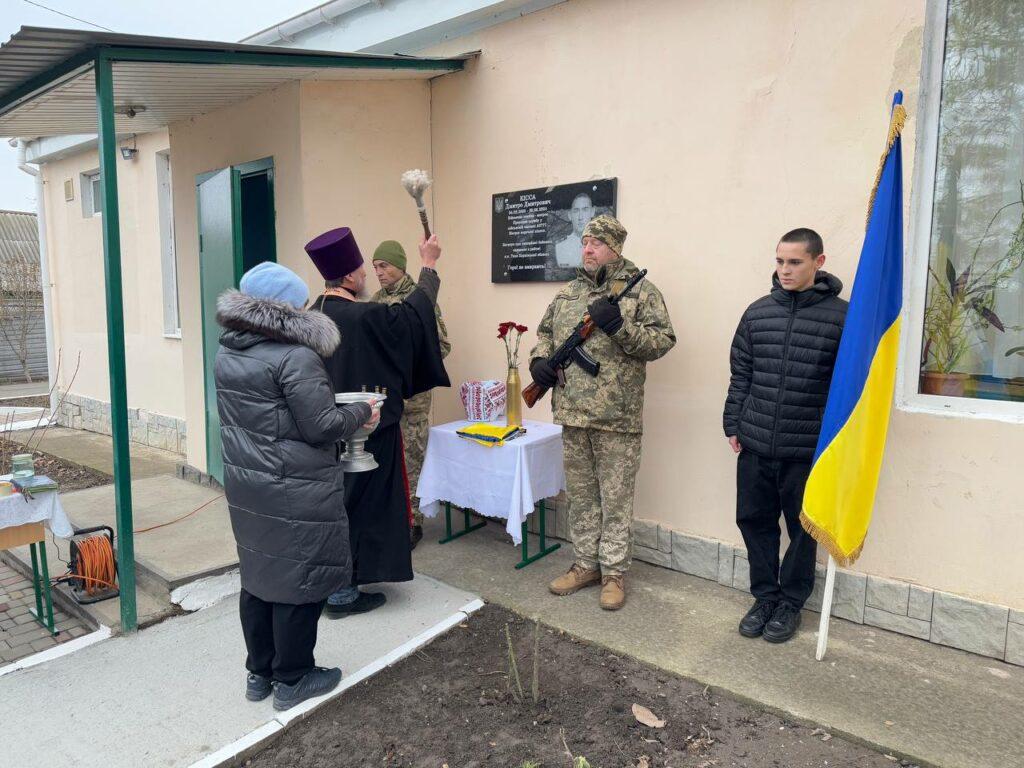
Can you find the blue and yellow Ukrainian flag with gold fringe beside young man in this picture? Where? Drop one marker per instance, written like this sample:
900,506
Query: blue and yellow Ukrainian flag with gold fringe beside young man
840,492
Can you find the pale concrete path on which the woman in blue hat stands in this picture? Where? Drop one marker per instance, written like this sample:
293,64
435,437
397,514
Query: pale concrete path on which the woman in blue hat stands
174,695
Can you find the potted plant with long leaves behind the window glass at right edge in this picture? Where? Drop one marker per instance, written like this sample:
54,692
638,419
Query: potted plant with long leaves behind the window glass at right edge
961,309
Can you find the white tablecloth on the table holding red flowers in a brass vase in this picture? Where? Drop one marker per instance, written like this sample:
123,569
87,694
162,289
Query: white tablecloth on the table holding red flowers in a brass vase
504,482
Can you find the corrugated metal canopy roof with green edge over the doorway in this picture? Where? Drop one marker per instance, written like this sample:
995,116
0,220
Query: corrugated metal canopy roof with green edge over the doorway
48,87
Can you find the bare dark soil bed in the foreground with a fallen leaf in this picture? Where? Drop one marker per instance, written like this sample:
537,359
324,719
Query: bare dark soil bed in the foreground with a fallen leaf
452,705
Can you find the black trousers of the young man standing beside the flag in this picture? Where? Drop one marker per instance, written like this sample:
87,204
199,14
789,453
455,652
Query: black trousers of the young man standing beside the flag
766,488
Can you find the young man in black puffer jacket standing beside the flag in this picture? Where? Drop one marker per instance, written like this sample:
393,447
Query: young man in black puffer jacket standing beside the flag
782,360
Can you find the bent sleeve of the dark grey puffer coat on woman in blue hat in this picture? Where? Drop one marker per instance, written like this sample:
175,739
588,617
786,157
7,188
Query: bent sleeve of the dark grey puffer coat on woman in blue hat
311,399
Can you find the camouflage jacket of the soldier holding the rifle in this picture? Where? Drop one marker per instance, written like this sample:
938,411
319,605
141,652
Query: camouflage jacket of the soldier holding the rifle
614,400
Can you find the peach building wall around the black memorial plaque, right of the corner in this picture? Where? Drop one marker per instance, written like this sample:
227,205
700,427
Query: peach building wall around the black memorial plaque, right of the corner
727,124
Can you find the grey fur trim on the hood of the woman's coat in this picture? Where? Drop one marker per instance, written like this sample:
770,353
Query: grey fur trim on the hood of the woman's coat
275,321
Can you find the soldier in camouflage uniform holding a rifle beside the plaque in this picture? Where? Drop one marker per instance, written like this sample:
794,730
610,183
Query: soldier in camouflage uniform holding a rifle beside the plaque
603,417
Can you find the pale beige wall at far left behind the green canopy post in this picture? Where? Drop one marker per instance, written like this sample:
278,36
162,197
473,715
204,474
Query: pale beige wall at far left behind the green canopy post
76,253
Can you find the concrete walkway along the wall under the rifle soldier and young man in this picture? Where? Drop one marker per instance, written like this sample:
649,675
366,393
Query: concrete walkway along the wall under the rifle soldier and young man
932,705
